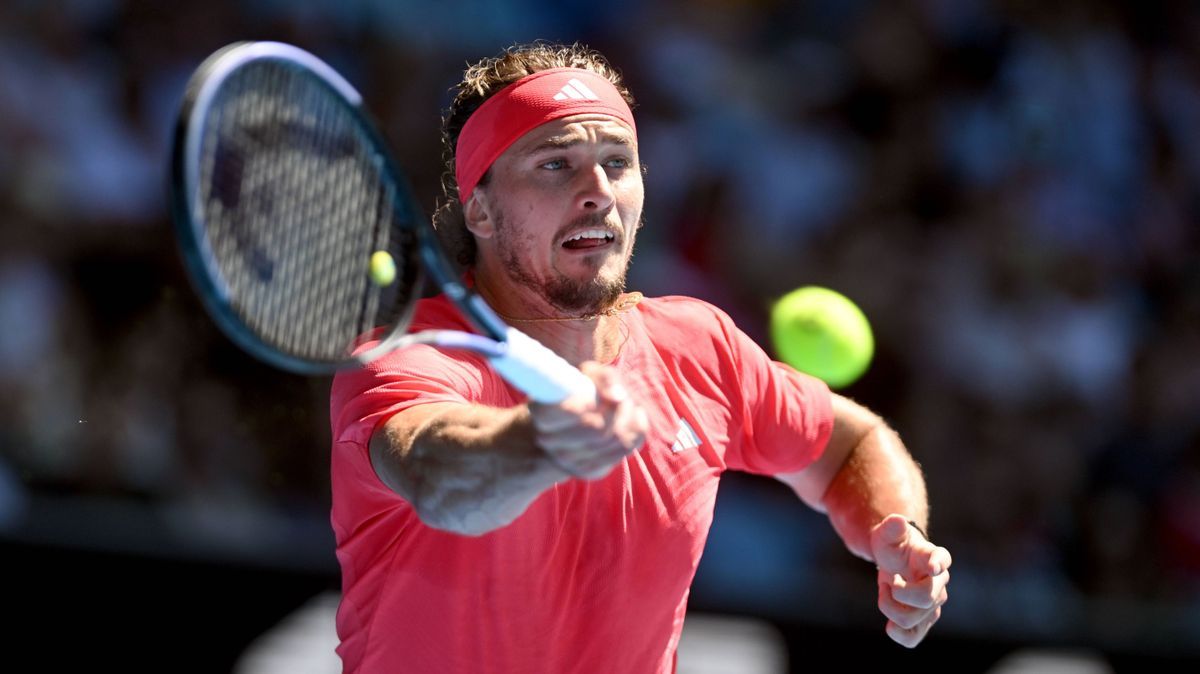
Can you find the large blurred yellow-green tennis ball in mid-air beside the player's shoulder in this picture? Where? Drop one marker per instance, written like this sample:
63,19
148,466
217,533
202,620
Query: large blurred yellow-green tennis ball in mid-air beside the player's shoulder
824,334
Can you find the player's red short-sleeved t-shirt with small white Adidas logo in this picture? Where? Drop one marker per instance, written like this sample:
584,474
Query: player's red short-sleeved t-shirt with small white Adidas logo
595,576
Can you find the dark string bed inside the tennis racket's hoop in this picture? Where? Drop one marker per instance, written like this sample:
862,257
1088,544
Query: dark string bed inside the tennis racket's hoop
296,204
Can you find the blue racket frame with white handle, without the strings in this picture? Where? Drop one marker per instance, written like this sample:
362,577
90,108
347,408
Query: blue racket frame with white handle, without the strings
539,372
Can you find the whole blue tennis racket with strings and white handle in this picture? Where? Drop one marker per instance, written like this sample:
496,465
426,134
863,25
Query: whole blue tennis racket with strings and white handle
302,236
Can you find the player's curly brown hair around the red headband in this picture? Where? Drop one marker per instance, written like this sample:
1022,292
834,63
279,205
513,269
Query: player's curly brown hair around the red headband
481,81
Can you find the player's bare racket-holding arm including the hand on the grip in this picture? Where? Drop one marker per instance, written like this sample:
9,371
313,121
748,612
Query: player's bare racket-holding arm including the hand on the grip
472,470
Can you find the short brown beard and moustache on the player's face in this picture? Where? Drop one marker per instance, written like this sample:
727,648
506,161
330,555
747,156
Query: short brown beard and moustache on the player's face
569,296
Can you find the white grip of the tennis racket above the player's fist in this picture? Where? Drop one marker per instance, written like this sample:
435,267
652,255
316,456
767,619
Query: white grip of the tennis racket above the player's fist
543,375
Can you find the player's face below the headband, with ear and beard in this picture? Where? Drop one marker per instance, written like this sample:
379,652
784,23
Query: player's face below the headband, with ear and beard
563,204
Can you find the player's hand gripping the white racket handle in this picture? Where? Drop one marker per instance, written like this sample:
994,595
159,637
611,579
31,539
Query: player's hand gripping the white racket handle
587,438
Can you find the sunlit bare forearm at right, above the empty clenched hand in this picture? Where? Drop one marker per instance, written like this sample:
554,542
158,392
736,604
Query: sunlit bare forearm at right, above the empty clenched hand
878,479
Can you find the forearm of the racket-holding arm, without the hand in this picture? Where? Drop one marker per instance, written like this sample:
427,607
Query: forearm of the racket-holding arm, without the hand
467,470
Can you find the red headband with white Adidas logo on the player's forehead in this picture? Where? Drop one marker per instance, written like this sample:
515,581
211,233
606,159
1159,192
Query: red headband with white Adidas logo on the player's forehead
525,105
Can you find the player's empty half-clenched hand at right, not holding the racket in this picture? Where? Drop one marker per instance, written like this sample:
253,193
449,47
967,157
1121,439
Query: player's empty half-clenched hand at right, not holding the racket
913,579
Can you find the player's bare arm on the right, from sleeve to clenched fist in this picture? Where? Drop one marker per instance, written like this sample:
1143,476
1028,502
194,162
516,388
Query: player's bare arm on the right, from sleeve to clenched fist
872,489
